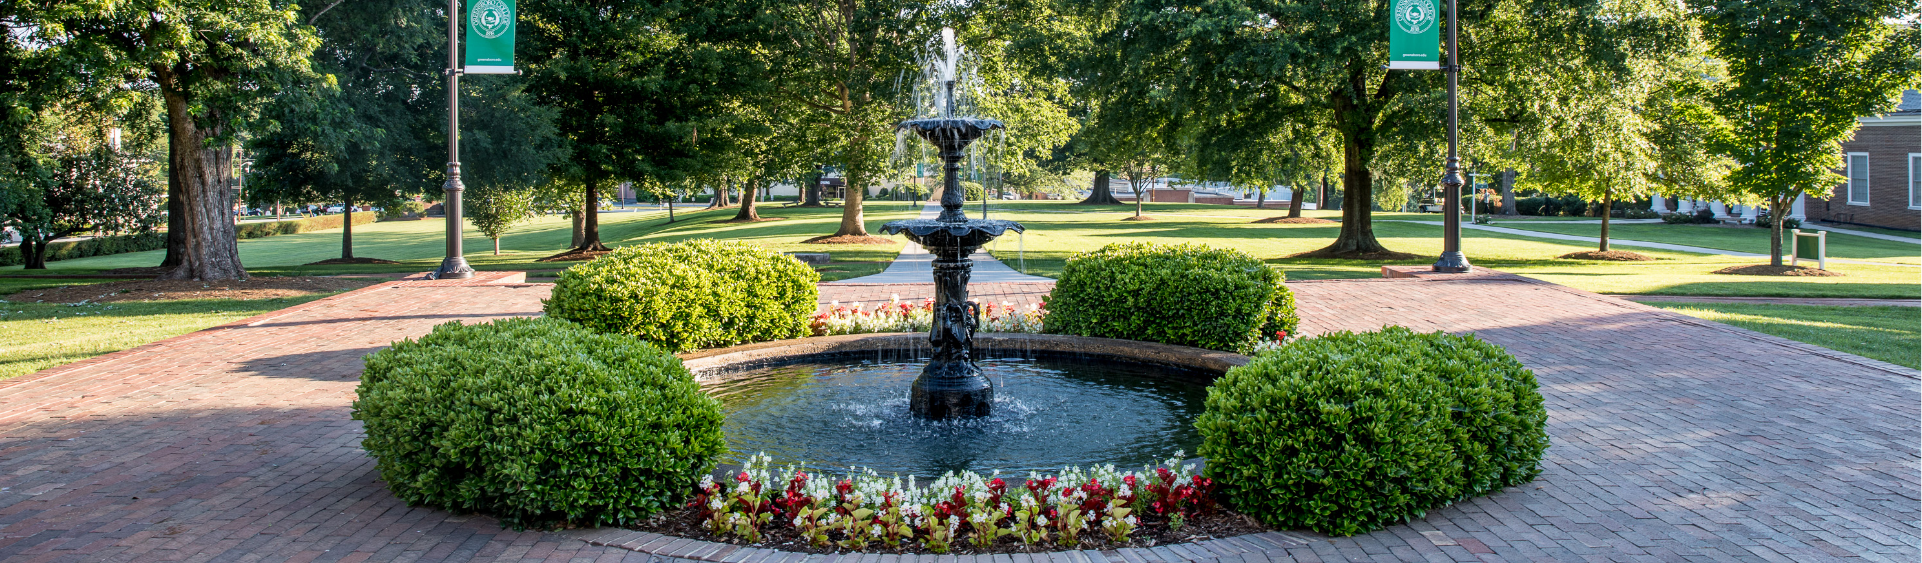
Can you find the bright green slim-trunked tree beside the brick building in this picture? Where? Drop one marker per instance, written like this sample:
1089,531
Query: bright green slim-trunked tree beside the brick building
1800,76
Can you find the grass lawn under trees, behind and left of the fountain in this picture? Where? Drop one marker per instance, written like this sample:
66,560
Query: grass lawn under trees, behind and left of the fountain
420,245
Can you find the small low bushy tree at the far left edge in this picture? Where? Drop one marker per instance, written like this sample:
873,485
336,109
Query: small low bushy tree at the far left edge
78,182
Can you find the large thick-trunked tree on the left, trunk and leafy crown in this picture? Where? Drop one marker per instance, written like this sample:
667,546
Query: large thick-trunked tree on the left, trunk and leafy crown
214,66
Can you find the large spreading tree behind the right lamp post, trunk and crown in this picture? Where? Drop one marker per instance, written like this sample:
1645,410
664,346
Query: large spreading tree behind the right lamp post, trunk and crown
1283,59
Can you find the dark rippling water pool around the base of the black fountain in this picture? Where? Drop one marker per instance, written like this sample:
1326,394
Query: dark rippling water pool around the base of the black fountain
839,403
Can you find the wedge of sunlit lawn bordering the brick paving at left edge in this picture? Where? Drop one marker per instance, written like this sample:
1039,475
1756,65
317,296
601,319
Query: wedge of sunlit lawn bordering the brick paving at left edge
36,337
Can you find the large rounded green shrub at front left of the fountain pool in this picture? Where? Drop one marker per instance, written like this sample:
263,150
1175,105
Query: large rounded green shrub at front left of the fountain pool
537,422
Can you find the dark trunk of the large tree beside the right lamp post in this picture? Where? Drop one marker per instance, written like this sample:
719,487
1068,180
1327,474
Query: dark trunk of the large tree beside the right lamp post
1358,184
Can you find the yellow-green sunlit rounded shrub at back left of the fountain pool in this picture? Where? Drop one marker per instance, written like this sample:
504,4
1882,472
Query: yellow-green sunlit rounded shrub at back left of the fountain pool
691,295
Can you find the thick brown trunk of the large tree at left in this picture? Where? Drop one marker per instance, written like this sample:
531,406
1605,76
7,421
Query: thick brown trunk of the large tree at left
207,247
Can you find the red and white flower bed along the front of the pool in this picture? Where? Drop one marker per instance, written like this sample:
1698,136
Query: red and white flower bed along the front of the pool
1100,508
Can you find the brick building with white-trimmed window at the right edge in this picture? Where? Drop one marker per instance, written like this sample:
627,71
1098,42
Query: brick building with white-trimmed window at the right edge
1885,172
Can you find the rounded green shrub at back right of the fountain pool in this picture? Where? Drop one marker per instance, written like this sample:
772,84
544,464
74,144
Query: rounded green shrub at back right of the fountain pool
1187,295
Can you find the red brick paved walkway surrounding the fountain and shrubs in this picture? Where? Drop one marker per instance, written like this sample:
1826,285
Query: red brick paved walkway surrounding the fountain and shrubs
1675,441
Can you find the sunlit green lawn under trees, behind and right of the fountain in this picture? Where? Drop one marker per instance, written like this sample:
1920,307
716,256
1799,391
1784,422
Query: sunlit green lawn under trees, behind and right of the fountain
1060,230
